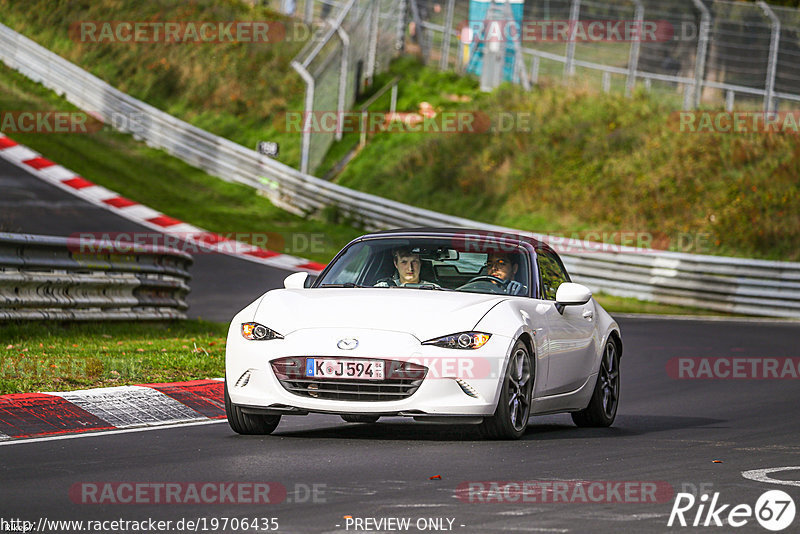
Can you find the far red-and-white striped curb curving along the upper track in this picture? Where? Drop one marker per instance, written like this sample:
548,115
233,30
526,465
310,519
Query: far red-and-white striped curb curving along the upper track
67,180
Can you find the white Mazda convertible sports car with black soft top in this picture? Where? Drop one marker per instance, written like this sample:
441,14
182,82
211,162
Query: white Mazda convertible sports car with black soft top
448,326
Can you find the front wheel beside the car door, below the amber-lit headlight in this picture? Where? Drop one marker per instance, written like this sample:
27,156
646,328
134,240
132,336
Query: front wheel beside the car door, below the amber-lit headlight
510,419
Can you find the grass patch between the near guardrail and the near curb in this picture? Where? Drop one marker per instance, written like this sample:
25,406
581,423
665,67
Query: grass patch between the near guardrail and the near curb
53,356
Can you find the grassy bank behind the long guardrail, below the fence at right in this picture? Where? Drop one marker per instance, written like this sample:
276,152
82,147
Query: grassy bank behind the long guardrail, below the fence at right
593,166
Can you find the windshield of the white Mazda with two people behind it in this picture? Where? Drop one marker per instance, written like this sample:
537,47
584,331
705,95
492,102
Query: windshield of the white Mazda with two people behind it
469,264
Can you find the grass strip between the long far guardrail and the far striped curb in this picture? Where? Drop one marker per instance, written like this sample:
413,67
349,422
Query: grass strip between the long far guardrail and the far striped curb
165,183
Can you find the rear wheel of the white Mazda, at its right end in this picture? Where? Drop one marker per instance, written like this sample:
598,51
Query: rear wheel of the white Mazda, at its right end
602,409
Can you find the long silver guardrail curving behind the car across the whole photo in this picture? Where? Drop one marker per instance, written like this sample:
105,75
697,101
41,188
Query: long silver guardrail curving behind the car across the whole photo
732,285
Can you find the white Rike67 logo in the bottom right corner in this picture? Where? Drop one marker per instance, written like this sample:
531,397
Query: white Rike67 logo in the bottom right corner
774,510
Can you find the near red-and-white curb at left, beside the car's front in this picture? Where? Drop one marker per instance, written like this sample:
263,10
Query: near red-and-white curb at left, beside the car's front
30,415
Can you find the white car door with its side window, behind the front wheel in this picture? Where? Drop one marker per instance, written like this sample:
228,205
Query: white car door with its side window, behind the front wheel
571,333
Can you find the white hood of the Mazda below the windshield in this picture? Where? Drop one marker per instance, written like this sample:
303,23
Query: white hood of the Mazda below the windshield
425,314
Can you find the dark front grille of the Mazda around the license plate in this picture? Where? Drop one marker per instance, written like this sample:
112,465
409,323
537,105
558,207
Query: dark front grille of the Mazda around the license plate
401,380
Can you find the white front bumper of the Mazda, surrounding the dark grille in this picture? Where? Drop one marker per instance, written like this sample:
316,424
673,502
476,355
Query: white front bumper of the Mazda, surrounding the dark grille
457,383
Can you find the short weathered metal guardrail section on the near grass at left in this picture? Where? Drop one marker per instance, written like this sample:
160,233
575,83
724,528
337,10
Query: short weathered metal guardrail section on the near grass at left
46,277
